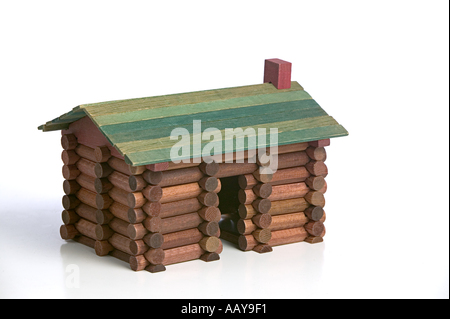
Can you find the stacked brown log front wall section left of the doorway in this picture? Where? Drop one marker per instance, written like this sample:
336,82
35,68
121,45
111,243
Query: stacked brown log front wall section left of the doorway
186,227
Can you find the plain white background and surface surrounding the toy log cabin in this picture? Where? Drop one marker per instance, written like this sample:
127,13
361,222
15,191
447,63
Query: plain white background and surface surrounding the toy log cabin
380,68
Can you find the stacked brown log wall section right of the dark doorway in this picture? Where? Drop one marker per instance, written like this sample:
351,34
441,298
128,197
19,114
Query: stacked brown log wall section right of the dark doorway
288,207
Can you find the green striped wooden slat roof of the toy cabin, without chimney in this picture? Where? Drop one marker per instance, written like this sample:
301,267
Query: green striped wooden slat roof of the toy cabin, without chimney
140,128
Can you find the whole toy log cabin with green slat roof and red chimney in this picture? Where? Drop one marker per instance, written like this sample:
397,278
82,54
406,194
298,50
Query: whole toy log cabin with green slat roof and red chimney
135,192
